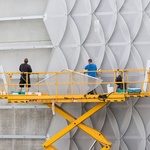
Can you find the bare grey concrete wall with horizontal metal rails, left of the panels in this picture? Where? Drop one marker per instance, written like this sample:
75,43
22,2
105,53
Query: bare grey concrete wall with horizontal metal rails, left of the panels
23,34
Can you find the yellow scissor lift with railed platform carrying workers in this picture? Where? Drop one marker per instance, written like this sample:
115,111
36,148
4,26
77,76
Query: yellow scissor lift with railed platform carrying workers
51,99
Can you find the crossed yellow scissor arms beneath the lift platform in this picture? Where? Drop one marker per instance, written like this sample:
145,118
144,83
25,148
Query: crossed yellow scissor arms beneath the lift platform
77,122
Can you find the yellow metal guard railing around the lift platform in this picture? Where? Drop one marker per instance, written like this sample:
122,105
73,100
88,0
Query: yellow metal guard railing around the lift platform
74,82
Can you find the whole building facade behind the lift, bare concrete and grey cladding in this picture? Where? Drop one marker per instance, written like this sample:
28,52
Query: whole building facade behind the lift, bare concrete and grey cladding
64,34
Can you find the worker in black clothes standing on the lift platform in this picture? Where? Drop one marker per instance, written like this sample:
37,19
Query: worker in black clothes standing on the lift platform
25,67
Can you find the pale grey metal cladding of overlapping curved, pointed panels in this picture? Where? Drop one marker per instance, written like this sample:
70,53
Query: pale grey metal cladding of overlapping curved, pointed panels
115,34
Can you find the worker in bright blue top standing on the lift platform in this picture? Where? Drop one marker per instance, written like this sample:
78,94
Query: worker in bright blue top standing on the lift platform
91,68
